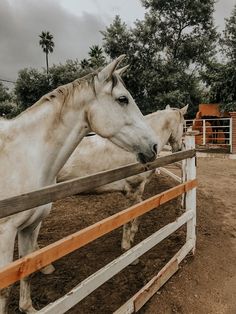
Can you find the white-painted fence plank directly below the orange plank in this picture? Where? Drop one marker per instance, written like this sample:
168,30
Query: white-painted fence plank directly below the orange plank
101,276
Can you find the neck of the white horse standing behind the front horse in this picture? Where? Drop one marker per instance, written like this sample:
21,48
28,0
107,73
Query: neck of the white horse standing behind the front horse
161,123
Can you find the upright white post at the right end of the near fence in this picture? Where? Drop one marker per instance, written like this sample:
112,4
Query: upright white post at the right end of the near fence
190,199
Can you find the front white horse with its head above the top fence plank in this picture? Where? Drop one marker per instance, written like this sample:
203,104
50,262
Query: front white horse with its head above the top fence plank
35,145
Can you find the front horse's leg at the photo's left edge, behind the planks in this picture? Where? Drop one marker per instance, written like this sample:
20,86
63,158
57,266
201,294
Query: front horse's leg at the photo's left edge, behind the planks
7,240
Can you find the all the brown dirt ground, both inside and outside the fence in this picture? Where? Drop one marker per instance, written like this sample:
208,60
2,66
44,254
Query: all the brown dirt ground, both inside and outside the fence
204,284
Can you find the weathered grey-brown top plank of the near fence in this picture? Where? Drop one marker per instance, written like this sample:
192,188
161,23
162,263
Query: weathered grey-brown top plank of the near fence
54,192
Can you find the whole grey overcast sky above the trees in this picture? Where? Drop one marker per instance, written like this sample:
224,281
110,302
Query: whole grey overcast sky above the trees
75,25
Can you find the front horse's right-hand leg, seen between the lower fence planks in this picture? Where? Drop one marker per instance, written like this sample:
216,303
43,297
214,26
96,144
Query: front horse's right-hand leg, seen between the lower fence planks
27,242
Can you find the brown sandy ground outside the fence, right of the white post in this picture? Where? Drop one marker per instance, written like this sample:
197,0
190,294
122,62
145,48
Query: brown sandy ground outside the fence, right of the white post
207,282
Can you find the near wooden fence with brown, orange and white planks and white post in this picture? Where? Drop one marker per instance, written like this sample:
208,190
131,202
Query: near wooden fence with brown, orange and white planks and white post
34,261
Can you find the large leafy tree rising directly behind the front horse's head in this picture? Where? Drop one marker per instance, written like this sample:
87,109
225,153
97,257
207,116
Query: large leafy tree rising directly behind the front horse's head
165,51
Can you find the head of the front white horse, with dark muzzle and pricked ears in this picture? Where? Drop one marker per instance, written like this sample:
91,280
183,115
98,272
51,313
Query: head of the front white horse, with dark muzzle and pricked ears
113,114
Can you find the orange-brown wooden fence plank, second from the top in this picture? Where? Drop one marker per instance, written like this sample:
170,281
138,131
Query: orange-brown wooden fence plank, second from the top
36,260
